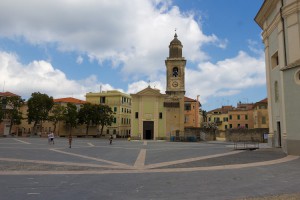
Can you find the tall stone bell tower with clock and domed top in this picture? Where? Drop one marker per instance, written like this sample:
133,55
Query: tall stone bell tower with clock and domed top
175,89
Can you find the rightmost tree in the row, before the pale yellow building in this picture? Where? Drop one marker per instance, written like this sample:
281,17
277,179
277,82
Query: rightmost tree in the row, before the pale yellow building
104,116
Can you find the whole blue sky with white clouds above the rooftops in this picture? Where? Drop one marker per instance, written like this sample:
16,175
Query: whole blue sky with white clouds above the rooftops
67,48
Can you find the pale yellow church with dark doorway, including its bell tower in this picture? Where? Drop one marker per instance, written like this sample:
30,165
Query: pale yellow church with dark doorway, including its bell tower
156,115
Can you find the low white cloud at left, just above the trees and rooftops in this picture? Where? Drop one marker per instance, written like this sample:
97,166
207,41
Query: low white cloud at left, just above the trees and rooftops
43,77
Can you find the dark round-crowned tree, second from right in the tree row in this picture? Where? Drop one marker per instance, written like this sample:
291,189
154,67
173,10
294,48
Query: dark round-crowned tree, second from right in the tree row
87,115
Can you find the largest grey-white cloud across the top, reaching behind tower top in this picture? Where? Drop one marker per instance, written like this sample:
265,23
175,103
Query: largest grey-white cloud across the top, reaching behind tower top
133,35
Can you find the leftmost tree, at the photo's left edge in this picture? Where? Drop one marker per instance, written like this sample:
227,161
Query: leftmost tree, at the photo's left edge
12,111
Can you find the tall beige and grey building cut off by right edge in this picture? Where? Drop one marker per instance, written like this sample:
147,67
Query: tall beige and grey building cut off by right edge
280,22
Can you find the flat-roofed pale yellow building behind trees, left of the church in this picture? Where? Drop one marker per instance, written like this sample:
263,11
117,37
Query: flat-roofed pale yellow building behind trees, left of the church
120,104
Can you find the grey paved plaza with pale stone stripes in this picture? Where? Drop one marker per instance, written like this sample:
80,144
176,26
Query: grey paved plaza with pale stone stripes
30,168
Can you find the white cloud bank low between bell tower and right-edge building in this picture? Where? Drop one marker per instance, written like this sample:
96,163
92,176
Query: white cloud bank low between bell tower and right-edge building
227,77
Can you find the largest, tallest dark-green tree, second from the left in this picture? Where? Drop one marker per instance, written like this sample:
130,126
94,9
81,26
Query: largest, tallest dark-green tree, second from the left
39,106
